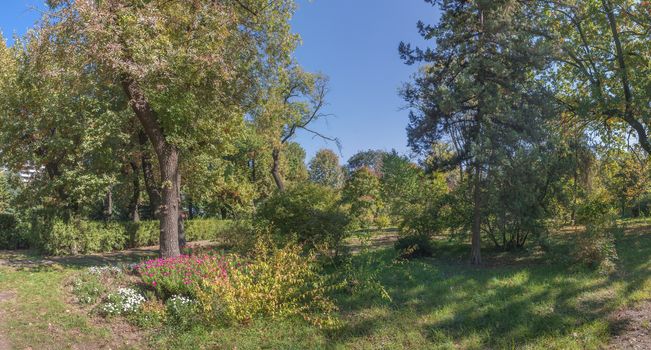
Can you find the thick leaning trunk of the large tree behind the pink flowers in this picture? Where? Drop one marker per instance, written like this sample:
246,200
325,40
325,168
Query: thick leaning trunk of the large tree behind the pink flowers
168,160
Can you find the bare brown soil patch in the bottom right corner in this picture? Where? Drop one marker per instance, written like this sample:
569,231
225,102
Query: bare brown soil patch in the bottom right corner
632,328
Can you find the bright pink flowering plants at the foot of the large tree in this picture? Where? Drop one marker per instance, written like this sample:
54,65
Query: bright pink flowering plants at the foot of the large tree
183,275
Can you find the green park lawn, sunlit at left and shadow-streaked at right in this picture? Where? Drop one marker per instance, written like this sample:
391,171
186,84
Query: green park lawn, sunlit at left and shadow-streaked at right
531,300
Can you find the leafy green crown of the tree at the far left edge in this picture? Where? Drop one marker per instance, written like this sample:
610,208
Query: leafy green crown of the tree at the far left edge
61,121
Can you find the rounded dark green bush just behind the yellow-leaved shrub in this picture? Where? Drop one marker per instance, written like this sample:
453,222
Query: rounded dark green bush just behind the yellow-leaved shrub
307,213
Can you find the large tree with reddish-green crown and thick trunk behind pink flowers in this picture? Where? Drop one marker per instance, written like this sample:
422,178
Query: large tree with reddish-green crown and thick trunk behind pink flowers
188,70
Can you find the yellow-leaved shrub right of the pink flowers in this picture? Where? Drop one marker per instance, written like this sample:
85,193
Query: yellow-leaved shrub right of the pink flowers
276,283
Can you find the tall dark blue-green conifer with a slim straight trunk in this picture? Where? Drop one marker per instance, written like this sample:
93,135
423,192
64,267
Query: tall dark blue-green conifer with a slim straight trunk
476,87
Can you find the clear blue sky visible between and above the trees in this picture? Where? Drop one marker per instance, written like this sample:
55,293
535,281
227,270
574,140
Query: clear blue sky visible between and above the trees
355,43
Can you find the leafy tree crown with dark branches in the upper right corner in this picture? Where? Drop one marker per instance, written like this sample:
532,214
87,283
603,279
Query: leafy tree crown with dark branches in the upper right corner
602,55
